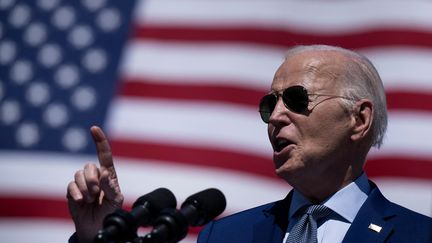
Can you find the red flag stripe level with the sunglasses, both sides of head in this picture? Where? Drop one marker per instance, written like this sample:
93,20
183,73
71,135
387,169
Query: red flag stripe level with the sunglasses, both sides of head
413,100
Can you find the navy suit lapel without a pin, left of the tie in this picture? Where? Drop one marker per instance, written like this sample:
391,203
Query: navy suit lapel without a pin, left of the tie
273,227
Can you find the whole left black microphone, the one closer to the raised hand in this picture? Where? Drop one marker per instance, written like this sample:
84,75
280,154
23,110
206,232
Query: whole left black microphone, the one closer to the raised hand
122,226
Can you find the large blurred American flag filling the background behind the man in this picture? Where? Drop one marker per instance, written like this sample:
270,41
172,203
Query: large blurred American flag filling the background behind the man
176,84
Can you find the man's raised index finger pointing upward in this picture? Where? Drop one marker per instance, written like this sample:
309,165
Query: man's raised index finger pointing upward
102,147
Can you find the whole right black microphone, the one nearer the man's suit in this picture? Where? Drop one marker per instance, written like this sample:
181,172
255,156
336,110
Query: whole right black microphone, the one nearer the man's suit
198,209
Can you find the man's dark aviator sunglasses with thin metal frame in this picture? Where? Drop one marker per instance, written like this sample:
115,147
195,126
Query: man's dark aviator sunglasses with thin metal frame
295,98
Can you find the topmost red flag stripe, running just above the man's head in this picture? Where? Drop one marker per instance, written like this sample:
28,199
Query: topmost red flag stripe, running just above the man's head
371,37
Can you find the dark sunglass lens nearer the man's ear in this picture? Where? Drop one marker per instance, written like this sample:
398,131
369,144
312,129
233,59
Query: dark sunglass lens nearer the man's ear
296,98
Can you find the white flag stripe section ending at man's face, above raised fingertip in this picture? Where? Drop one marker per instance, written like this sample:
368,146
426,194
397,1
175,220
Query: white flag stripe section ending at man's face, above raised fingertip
225,126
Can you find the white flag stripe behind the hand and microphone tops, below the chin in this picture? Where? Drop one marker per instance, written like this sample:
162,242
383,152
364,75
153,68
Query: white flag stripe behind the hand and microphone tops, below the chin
49,174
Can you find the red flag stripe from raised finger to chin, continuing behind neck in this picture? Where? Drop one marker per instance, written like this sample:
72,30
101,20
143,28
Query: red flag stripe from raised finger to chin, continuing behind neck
409,167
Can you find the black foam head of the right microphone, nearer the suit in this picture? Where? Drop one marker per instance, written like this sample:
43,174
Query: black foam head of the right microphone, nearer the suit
208,203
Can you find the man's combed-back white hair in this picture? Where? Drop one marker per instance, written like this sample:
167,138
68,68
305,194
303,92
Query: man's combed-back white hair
361,81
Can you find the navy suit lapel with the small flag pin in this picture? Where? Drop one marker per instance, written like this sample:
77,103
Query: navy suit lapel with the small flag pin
372,222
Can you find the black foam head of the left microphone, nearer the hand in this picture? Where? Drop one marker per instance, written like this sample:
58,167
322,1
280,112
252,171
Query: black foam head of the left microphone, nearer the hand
157,200
